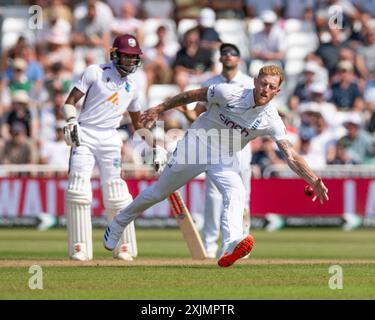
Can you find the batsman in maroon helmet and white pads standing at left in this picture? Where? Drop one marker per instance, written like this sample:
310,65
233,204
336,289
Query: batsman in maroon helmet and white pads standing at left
109,91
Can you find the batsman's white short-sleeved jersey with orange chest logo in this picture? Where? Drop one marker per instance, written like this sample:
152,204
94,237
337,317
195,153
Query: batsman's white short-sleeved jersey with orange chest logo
107,96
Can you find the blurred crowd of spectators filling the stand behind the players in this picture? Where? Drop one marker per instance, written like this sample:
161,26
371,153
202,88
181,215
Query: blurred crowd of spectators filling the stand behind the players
329,112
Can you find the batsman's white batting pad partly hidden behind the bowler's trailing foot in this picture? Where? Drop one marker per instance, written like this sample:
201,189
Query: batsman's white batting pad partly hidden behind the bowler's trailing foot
116,196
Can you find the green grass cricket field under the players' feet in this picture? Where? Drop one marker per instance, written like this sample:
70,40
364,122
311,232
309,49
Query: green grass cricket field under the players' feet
289,264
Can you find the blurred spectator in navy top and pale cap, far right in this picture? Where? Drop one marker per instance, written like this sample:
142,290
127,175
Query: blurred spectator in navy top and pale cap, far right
345,92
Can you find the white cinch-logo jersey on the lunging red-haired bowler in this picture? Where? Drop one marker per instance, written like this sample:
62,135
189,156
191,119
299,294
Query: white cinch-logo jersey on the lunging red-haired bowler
232,107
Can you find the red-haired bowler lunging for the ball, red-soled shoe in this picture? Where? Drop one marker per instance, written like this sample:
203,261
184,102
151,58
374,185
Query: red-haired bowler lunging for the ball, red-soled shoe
246,114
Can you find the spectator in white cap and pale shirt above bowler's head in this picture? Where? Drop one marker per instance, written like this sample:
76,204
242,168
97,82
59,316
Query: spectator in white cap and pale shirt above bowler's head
269,45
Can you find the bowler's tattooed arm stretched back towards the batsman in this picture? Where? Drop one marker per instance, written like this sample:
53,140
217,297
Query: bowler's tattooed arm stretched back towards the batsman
149,117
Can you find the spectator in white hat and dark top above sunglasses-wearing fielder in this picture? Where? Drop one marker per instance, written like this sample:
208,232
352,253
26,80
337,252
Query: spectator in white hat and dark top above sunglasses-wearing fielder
209,38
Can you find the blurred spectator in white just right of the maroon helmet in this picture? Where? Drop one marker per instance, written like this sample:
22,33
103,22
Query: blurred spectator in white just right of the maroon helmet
159,59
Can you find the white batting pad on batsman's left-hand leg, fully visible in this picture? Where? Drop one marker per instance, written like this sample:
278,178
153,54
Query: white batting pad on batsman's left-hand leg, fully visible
78,213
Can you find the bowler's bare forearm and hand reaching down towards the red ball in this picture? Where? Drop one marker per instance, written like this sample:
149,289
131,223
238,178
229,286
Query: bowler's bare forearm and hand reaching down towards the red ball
302,169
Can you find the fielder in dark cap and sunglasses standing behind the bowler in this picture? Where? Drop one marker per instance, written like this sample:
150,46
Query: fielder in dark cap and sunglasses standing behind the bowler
230,57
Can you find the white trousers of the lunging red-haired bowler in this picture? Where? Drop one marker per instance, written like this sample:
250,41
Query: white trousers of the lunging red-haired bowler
175,175
